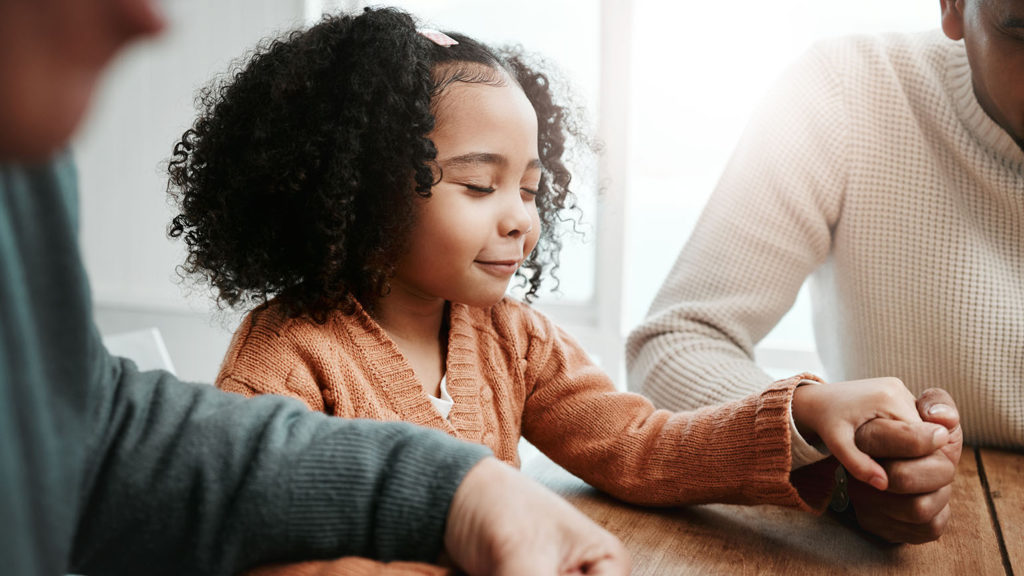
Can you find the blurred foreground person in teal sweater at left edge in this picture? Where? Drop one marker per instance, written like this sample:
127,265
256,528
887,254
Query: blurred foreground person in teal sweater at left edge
107,470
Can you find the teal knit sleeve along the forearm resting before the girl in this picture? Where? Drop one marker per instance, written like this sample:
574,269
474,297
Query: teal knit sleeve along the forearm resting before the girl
186,479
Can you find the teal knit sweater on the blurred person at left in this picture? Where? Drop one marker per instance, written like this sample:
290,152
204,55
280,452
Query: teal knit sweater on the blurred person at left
105,470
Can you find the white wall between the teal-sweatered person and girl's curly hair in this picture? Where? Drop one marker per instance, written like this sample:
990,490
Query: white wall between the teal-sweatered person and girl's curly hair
143,108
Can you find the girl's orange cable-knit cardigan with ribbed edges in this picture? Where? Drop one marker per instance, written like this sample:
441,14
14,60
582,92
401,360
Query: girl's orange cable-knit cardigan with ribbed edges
510,372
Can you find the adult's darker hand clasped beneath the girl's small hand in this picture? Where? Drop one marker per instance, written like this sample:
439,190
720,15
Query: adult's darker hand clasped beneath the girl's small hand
921,465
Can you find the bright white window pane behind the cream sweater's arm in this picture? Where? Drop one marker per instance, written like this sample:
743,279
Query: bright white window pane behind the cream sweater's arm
699,69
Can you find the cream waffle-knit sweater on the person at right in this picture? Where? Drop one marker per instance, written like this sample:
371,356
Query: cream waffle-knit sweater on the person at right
873,169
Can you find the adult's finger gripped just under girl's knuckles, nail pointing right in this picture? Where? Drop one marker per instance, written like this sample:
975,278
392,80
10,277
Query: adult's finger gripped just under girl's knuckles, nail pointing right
885,438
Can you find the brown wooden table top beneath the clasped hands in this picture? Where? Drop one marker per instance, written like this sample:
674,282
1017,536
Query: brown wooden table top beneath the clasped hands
986,536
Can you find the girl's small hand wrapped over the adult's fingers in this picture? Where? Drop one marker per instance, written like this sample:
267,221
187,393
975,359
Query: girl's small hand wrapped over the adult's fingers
834,413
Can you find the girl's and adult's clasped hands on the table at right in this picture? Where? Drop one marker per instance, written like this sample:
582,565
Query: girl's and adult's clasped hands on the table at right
901,452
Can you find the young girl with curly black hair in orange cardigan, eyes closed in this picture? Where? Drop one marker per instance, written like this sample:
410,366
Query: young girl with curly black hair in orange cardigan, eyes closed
374,189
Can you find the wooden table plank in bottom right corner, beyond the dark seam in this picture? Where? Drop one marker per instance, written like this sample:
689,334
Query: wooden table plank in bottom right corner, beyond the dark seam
1005,472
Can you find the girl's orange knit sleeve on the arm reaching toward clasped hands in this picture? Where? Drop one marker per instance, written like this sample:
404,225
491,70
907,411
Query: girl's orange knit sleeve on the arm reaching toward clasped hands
619,443
